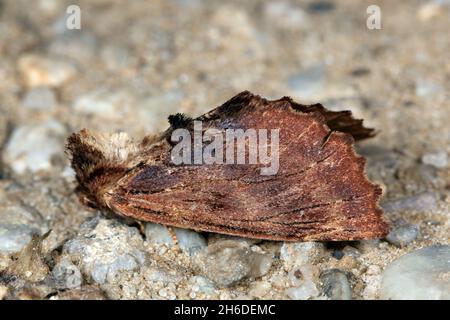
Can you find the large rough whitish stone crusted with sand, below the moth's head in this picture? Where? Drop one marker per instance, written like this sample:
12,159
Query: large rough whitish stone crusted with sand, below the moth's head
105,248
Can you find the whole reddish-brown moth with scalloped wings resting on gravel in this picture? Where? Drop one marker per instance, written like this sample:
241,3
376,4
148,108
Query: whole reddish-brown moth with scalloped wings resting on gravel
319,193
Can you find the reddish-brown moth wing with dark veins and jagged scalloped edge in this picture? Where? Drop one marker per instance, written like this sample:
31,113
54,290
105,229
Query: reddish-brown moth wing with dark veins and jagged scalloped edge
320,191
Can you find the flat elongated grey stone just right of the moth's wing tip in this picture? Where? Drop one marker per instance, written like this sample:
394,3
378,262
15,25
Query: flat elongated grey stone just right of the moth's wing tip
422,202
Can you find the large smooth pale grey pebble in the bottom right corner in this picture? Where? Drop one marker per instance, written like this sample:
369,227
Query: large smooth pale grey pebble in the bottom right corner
419,275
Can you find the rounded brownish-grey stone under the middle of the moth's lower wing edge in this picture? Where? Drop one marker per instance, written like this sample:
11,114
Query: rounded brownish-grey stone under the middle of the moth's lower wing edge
224,262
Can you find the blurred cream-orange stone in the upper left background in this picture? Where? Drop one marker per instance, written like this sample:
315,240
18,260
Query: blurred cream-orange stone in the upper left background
42,71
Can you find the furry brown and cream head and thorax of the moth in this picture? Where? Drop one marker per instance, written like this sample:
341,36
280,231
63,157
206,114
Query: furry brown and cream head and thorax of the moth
99,161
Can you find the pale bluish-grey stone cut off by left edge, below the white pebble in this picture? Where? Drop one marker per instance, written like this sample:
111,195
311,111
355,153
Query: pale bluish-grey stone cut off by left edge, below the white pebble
14,237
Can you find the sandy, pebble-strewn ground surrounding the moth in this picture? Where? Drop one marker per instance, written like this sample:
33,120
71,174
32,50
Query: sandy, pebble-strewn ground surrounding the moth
133,63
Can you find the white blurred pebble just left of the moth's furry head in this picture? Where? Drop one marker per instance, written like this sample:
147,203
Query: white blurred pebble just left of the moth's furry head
32,147
